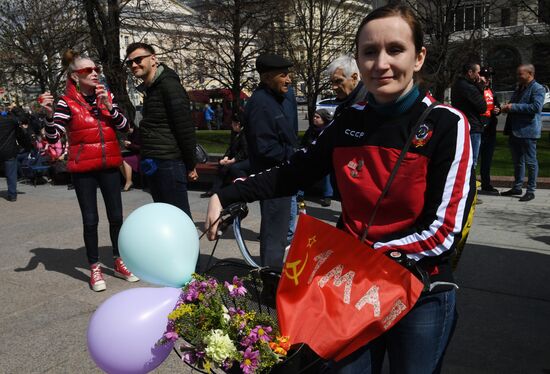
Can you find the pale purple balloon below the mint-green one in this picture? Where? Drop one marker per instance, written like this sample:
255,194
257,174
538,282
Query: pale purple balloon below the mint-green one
124,330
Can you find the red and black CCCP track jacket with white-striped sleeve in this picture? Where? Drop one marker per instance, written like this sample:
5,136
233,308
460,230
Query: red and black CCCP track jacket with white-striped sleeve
428,203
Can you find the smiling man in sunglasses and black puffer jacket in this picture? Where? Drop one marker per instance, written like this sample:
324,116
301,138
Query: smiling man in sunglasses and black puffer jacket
167,133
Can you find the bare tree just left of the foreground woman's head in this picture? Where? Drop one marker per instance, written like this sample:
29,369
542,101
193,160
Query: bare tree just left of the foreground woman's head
313,34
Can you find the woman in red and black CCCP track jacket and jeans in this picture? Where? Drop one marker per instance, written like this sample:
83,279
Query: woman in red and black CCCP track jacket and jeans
425,208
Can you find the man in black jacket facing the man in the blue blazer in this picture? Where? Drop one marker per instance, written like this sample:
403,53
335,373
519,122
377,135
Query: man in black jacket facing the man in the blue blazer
467,96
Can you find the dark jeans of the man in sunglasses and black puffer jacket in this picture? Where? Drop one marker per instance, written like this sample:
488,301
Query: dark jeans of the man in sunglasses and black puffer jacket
169,184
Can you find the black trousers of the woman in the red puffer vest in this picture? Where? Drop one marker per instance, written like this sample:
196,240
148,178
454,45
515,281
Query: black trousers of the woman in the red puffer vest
85,186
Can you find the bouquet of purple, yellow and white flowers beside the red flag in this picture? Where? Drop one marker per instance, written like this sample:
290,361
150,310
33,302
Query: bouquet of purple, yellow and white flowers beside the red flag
221,329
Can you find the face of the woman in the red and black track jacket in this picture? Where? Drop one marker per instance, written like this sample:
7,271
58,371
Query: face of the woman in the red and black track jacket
387,59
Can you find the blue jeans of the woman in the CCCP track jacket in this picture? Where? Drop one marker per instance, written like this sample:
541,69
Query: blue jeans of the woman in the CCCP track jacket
416,344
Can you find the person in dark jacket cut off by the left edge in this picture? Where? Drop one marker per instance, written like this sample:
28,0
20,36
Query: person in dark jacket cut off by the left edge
10,135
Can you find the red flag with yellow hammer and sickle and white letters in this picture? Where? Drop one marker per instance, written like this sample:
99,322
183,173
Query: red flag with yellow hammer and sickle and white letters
337,294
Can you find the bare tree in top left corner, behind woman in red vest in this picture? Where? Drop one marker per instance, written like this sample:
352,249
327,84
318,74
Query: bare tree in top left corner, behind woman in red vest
33,34
